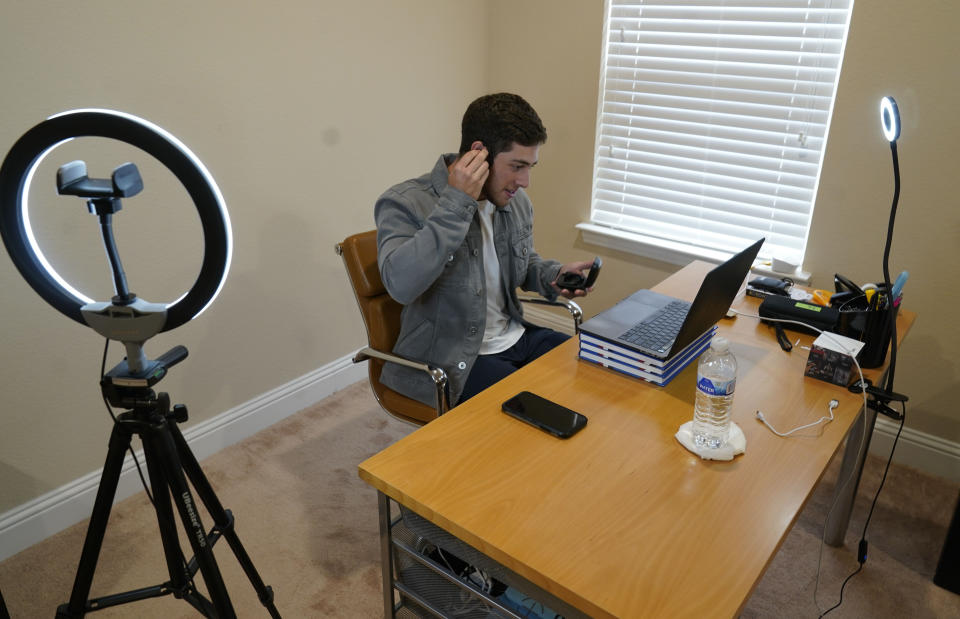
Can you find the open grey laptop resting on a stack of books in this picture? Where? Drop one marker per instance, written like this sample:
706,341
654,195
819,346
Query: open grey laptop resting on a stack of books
660,326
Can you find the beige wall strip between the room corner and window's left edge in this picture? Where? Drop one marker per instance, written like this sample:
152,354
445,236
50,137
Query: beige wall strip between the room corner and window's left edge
552,55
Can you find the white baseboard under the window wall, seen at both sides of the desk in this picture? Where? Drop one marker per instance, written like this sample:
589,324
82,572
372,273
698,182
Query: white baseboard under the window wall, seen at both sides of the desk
925,452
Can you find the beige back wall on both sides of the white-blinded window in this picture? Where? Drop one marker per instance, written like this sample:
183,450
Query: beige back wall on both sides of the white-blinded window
906,50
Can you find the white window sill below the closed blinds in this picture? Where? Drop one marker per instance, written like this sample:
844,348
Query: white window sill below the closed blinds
671,252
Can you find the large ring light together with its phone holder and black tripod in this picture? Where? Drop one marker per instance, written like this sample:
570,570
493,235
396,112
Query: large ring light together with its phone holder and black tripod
131,320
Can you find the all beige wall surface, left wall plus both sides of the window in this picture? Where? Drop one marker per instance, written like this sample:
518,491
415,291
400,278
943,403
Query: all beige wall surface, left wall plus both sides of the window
305,112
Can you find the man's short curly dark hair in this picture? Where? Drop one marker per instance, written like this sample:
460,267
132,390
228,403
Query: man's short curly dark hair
500,120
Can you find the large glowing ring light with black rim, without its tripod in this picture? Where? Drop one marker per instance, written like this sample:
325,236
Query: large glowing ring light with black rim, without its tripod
16,176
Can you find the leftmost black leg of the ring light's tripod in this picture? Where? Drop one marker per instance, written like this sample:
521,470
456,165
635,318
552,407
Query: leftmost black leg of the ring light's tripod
119,443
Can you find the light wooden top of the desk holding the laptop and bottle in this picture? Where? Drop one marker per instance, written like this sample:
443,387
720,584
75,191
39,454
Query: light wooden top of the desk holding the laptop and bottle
621,520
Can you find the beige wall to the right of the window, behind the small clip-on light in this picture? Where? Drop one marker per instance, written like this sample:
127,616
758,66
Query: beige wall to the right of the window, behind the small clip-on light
908,51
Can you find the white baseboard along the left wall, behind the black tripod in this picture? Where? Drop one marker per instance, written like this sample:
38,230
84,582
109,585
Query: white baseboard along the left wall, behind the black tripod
54,511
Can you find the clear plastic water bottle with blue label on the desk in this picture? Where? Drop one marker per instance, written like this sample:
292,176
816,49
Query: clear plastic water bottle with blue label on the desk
716,380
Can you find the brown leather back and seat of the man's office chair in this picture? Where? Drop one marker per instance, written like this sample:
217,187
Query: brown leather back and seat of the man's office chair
381,317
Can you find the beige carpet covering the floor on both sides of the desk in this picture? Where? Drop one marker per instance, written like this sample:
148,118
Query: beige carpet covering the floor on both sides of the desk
310,527
